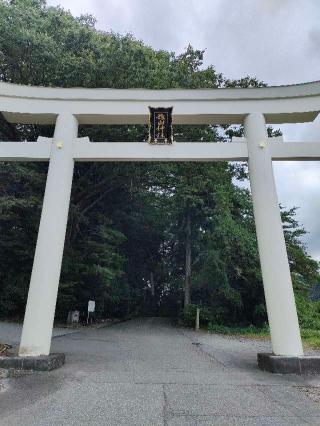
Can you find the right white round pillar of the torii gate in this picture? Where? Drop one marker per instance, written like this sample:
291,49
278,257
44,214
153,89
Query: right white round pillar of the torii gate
281,307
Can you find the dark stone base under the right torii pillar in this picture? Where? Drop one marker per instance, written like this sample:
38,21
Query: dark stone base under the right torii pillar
289,364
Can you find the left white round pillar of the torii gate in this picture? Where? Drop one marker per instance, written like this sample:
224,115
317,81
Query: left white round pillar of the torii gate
43,290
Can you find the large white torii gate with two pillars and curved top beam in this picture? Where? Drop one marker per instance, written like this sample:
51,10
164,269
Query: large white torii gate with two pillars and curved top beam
69,107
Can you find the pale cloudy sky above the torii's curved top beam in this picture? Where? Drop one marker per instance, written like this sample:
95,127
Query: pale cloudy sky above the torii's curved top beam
265,38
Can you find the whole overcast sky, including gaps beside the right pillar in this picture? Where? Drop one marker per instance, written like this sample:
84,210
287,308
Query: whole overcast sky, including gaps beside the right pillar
277,41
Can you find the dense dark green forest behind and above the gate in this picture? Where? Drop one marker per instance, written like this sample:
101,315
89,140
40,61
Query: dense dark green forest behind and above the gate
142,238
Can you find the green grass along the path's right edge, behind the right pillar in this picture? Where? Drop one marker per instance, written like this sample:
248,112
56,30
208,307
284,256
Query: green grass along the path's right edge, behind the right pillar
310,337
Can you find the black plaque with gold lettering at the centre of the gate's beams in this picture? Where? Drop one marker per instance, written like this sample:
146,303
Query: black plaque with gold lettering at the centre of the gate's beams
160,129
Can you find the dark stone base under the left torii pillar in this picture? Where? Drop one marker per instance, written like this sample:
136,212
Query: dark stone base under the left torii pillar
35,363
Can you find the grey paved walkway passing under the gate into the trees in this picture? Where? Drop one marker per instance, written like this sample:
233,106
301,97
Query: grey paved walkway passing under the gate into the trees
147,372
